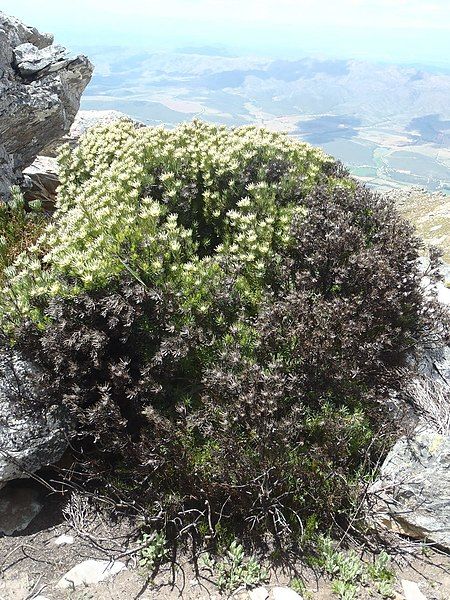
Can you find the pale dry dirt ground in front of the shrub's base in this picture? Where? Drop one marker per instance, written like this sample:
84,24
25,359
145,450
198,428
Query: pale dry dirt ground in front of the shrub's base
31,563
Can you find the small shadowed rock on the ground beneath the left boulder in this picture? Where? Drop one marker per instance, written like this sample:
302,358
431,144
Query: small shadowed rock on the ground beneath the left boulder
18,507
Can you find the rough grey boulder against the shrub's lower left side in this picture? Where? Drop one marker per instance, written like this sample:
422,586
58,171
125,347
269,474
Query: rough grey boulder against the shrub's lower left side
29,439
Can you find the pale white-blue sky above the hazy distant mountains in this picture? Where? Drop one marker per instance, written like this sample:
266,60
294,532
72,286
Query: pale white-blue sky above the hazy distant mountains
398,31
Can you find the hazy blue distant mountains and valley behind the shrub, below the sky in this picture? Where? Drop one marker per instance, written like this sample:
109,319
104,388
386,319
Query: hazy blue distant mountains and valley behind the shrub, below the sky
389,124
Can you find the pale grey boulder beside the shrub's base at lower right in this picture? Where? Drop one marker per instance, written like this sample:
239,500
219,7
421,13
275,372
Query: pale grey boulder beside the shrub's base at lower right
413,491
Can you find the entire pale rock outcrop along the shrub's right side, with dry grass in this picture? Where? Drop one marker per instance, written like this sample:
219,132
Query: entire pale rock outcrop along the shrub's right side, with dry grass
412,493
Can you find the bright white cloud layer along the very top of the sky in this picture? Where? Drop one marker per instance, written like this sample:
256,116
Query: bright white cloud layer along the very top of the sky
417,14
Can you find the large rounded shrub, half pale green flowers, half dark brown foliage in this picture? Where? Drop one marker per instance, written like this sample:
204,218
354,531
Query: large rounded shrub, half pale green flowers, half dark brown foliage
223,312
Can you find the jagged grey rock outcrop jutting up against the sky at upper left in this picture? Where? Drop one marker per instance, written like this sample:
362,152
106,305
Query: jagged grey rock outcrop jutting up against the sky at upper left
40,89
